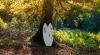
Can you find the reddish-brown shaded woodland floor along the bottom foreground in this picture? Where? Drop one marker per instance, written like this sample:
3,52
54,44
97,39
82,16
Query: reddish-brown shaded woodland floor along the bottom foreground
41,50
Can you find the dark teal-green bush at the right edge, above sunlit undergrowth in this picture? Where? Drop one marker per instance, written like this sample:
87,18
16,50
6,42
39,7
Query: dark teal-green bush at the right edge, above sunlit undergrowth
91,22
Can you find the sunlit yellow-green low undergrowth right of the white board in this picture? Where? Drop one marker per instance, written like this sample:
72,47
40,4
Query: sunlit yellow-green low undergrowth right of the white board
76,38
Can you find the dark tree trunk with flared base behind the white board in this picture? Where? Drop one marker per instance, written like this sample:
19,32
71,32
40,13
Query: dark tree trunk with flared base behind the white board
47,18
